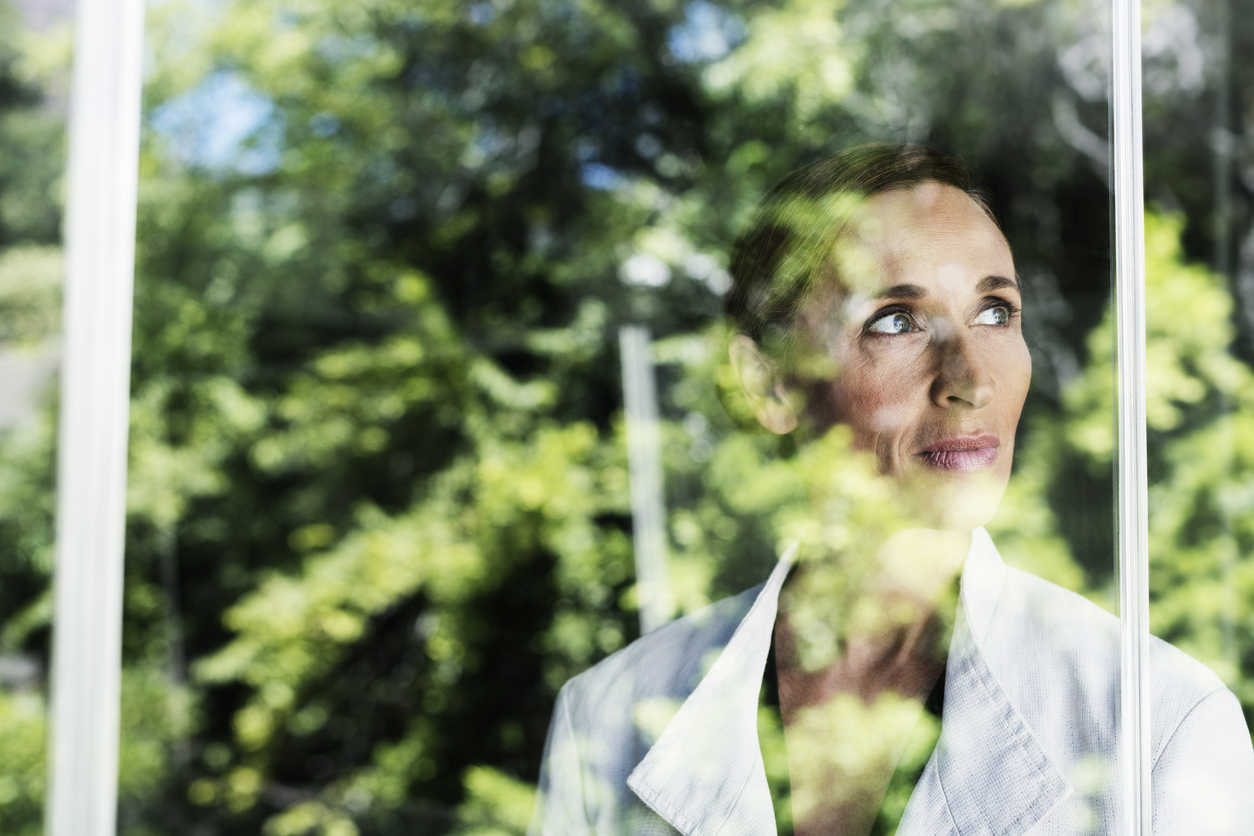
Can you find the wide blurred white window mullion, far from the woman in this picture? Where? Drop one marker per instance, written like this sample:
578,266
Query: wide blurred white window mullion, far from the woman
95,413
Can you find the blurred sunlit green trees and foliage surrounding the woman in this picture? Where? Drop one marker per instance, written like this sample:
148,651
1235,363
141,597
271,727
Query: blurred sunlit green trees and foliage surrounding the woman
378,498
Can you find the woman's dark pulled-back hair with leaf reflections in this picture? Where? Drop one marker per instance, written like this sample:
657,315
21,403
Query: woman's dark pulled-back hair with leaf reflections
786,251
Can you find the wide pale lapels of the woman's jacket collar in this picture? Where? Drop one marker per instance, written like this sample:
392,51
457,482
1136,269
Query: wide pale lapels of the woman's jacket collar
989,774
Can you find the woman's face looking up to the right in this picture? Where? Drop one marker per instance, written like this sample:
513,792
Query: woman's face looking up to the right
921,352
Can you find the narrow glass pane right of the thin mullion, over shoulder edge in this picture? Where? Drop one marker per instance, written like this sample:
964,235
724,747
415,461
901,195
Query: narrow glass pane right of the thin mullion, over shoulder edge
1199,379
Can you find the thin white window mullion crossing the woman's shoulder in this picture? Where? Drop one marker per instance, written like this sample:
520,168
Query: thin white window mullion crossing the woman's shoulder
1132,494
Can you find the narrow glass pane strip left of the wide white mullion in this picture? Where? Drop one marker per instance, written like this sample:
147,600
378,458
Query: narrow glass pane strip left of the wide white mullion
34,78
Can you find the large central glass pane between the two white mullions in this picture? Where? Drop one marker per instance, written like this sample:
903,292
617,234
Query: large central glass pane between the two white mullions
414,280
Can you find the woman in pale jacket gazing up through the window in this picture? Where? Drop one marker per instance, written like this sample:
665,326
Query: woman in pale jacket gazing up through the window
878,318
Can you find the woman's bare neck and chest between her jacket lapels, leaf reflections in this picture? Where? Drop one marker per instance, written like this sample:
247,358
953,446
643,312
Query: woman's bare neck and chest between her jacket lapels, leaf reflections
860,644
